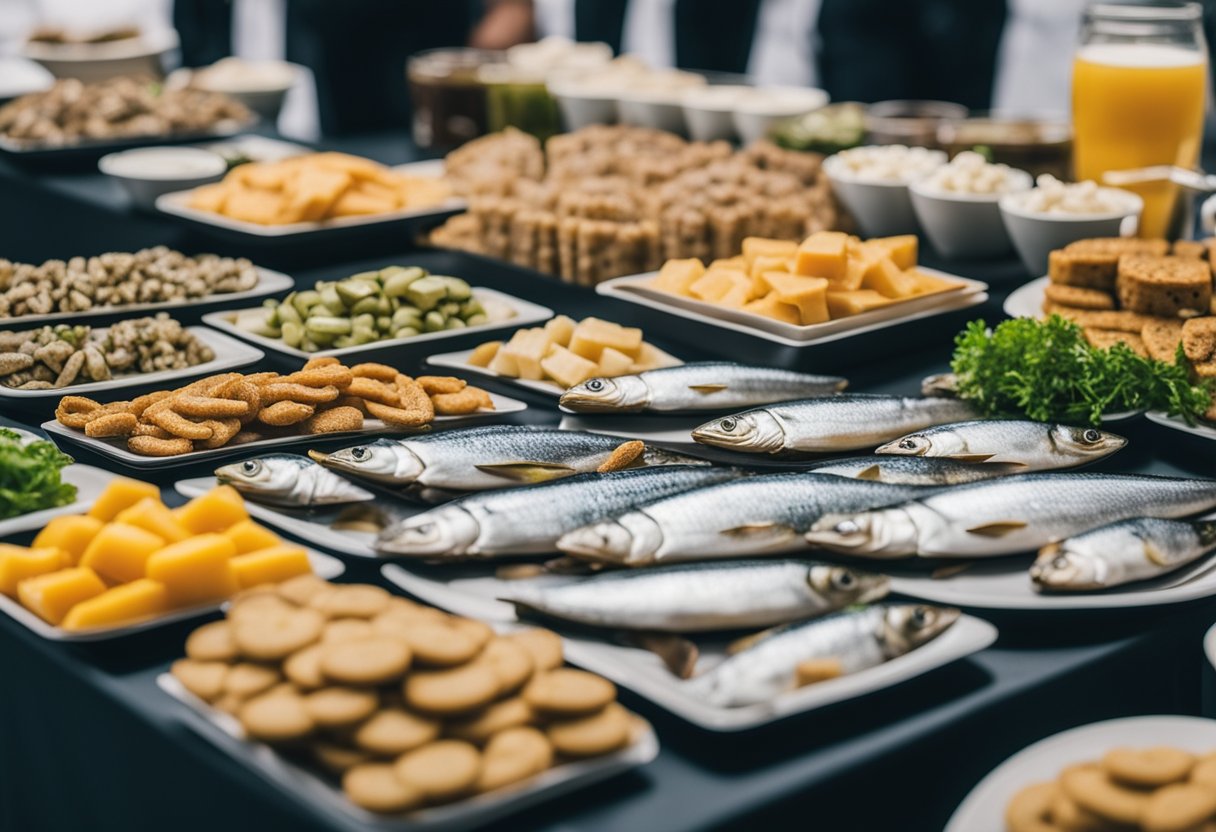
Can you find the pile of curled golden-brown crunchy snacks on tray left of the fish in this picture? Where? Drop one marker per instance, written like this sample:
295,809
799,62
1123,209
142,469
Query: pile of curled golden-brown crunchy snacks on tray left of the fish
325,397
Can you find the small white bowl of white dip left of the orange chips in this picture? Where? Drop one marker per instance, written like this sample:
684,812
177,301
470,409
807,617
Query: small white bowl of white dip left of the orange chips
147,173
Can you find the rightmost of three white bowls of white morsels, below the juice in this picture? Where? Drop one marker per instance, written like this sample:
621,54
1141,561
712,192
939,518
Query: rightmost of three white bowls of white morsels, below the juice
1037,235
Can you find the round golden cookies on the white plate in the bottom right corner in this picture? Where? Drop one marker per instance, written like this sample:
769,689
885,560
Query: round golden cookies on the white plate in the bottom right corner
1156,790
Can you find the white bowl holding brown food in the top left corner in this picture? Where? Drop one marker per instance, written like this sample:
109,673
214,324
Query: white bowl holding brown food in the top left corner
94,63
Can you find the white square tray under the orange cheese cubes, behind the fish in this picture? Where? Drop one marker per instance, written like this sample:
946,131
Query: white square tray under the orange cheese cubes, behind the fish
635,289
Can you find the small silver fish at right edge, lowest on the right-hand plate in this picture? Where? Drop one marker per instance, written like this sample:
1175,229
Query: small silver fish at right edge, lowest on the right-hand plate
1122,554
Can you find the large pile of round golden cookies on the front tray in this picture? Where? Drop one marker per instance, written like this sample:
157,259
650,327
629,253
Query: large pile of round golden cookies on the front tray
408,705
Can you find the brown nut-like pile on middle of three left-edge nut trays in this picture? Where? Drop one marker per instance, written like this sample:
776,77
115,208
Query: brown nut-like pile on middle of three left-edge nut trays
151,276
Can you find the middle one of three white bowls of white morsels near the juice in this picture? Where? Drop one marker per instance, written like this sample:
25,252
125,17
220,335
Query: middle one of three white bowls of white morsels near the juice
965,227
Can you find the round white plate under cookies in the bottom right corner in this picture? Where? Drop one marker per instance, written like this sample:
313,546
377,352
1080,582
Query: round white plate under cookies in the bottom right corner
983,811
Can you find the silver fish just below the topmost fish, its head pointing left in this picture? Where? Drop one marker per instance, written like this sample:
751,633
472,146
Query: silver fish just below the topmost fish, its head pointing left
830,425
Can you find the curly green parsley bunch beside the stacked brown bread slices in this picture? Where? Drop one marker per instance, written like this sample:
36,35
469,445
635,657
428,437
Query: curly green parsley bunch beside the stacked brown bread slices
1048,372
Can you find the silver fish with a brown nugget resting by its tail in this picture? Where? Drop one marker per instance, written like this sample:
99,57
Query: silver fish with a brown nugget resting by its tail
486,458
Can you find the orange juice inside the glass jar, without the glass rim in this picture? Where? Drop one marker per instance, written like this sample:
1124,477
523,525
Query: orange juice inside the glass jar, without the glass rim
1134,106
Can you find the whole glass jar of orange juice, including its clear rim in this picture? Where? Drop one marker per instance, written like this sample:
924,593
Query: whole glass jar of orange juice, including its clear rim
1139,93
